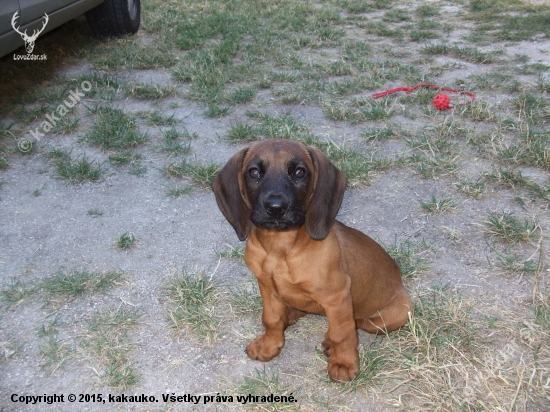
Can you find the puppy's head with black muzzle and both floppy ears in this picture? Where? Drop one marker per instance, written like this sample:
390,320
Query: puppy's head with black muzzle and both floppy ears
280,184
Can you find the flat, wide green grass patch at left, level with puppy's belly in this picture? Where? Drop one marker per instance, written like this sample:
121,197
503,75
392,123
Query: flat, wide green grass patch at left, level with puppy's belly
65,286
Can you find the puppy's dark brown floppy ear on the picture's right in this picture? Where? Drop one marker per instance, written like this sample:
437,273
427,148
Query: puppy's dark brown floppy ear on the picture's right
329,185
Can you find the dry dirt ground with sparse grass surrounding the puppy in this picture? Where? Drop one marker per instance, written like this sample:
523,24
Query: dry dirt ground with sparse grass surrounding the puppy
481,338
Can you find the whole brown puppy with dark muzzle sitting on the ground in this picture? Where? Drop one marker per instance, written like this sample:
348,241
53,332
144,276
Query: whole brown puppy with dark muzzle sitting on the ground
284,196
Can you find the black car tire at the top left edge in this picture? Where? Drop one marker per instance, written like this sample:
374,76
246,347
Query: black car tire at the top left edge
115,17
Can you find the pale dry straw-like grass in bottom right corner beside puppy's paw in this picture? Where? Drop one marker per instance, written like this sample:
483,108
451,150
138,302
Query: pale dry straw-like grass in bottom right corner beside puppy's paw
447,359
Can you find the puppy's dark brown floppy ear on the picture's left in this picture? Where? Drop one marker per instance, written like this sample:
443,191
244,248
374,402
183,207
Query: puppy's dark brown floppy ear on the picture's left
227,188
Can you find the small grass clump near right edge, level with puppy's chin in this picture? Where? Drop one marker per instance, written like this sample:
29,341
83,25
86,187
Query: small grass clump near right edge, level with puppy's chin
511,229
